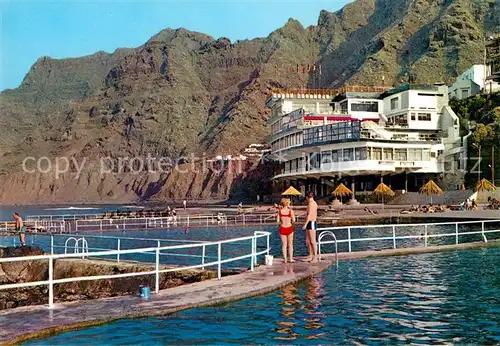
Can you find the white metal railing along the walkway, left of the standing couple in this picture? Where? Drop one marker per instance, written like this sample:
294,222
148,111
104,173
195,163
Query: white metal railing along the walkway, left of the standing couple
253,255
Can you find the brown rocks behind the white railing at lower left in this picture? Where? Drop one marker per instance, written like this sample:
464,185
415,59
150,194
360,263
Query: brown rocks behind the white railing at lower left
27,271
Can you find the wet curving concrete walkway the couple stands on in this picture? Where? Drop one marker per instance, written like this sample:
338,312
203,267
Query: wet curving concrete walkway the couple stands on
34,321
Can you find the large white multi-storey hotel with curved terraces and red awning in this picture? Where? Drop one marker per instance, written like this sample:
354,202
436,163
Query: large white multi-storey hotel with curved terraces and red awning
359,134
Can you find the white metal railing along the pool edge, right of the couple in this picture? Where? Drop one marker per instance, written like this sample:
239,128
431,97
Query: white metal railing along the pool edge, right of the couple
422,229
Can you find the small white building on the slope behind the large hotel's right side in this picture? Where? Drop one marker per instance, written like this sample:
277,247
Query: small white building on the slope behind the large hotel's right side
472,82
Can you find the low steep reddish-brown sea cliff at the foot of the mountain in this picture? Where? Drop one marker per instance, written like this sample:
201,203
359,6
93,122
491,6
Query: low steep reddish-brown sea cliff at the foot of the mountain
238,180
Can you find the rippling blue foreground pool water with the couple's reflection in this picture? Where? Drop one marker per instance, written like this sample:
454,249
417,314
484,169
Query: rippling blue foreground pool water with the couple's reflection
437,298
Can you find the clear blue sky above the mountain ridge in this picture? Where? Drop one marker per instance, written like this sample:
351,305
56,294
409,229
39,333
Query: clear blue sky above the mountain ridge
61,29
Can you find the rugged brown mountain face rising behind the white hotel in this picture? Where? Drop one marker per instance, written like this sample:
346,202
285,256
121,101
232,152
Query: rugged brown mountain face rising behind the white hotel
191,93
